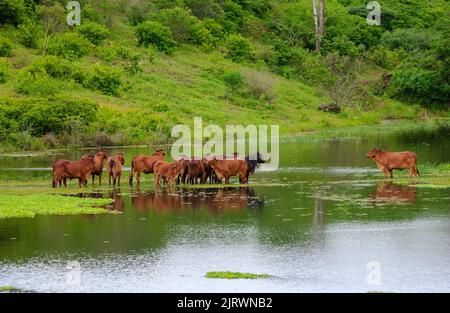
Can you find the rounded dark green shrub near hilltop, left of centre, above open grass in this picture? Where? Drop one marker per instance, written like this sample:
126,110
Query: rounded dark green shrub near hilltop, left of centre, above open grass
154,33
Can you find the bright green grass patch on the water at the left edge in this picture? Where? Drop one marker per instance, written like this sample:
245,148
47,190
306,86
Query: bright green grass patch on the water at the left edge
44,204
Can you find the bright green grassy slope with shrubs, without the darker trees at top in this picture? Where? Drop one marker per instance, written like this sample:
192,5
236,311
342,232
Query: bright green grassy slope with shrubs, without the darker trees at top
101,87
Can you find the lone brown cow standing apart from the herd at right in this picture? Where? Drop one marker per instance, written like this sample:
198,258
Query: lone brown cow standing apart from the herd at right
389,161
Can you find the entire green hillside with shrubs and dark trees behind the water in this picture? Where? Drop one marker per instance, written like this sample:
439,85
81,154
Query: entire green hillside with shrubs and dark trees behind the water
133,69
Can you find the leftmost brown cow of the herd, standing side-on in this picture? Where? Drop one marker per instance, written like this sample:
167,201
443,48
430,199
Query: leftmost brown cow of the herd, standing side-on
81,170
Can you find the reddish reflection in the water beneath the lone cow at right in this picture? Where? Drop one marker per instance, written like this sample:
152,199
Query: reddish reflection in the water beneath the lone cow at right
390,192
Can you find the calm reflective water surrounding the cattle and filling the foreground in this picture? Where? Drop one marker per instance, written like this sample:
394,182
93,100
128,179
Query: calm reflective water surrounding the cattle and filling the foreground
325,221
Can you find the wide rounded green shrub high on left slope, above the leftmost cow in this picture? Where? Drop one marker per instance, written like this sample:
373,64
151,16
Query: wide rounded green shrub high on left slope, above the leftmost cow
69,45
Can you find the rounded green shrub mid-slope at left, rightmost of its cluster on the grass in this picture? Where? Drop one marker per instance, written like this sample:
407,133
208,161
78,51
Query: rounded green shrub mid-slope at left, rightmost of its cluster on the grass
105,79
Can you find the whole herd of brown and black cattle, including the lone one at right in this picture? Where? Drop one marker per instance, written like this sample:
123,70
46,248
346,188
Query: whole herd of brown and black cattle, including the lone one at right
193,171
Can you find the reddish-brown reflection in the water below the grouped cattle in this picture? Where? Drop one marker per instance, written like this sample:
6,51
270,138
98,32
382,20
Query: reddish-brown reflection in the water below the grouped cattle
216,200
